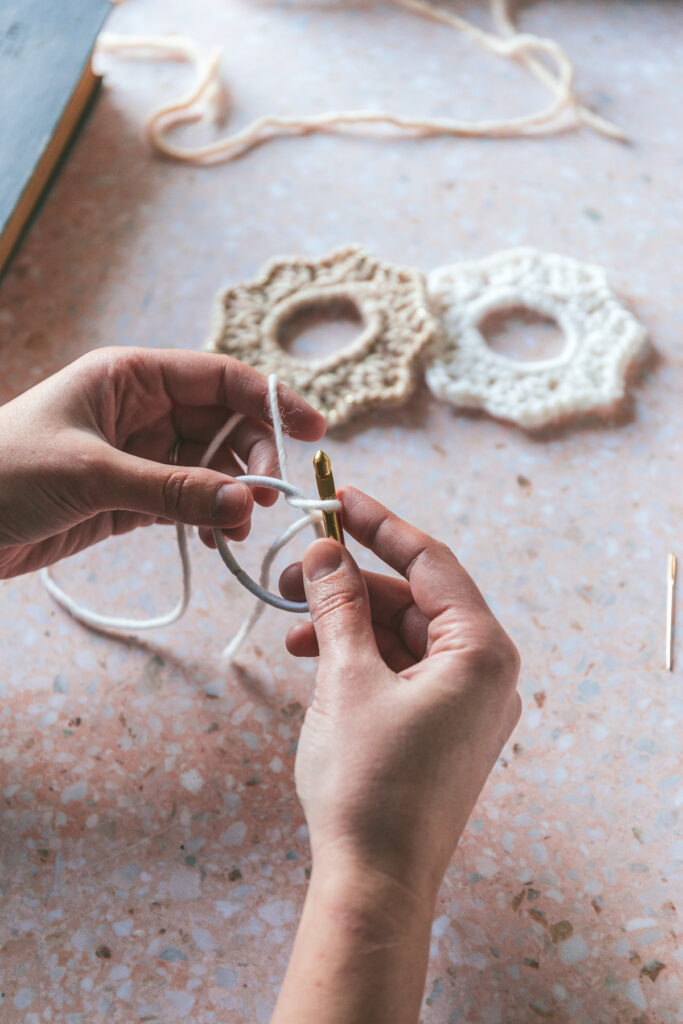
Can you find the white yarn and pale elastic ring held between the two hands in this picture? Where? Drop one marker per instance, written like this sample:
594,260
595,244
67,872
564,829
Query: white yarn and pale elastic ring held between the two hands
295,497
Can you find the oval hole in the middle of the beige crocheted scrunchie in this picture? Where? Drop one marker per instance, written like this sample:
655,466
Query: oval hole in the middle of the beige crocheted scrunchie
317,331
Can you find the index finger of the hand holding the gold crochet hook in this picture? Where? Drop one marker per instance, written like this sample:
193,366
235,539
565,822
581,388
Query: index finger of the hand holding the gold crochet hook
438,580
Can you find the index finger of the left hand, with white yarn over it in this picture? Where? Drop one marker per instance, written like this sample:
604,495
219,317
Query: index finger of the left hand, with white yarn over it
211,379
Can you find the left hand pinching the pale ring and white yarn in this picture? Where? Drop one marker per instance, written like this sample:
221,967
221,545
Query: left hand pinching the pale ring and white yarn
83,454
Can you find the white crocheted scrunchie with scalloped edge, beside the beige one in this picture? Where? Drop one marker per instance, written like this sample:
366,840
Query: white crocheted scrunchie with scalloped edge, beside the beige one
602,337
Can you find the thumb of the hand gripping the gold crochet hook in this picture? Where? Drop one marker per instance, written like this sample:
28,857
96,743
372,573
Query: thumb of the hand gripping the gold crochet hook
338,604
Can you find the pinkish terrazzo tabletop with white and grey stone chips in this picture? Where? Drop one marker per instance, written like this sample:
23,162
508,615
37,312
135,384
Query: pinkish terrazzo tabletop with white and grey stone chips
154,858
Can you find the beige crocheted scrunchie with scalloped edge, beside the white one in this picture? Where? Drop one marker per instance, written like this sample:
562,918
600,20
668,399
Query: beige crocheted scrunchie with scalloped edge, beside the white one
378,368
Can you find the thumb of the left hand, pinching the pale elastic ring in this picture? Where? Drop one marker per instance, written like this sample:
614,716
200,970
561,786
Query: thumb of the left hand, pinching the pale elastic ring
183,494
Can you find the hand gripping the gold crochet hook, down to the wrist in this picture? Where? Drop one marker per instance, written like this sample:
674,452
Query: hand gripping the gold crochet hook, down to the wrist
414,700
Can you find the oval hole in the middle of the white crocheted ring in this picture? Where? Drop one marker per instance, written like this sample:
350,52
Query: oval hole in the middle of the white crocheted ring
523,334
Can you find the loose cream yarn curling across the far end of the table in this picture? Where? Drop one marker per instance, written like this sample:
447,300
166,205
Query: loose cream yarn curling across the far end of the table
207,93
